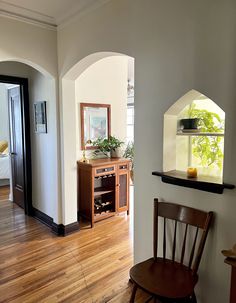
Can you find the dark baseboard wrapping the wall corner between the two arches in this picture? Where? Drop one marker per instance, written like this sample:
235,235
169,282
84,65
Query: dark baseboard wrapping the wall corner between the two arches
59,229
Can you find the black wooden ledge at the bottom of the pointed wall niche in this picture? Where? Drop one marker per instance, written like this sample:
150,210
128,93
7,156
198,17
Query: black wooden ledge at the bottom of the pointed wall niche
209,184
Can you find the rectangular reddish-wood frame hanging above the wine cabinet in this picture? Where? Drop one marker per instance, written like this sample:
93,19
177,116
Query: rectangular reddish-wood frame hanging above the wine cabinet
95,123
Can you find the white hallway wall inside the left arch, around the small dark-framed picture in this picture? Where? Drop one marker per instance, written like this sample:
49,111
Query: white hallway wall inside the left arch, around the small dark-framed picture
45,195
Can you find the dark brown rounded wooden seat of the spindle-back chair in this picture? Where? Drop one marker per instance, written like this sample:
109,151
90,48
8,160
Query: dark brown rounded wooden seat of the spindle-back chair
164,278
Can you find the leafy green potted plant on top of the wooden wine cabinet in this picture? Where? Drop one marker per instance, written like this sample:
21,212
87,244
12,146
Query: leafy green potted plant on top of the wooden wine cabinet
110,147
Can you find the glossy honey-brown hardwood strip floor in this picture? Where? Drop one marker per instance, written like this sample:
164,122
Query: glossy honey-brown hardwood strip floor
89,266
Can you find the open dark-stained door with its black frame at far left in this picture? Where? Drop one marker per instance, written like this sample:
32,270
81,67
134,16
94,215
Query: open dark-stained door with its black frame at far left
20,151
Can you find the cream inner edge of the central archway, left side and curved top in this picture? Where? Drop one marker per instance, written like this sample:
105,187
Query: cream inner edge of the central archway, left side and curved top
69,134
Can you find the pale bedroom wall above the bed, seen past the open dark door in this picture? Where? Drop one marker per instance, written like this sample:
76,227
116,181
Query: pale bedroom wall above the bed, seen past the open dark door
4,121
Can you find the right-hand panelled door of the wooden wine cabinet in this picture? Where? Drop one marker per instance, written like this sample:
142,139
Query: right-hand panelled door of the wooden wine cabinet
123,191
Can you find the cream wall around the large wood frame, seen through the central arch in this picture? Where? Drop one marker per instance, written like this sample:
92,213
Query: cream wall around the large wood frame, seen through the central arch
104,82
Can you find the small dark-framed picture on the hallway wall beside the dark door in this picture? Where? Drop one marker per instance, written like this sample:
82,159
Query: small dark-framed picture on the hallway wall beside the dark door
40,117
